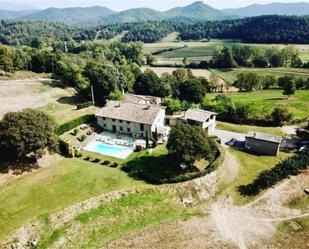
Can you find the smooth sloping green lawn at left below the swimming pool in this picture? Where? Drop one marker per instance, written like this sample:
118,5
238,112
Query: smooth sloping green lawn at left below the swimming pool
51,189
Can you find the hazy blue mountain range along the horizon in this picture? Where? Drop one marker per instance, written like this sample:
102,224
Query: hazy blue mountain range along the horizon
197,11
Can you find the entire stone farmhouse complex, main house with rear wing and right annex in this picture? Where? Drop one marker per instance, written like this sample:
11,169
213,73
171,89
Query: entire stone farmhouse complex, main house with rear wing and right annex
140,116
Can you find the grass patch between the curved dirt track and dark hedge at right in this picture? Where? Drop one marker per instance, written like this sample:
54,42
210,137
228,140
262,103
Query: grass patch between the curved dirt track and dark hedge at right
249,167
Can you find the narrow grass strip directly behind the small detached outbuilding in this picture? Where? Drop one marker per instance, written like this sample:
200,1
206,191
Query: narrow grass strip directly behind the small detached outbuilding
277,131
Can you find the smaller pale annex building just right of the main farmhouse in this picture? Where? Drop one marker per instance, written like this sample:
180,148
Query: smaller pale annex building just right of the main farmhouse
204,119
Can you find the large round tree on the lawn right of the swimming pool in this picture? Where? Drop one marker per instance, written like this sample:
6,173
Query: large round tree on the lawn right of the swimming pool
190,144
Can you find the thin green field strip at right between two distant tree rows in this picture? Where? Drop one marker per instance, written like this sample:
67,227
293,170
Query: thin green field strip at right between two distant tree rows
231,75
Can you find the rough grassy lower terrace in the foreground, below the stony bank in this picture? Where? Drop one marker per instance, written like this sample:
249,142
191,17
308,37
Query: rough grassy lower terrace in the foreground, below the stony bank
116,219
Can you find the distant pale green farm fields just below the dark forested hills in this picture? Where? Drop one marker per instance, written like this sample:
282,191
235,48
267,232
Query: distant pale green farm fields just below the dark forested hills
201,50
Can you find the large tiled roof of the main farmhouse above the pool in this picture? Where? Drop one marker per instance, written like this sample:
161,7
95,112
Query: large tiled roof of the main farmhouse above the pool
132,112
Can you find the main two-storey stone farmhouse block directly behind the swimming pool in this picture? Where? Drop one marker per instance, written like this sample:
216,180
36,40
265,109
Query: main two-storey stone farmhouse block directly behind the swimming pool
135,119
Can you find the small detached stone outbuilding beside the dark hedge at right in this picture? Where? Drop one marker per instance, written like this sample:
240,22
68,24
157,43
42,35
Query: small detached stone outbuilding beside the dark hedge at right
263,143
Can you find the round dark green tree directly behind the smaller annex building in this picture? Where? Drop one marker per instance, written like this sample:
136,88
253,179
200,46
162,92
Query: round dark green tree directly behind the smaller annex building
192,90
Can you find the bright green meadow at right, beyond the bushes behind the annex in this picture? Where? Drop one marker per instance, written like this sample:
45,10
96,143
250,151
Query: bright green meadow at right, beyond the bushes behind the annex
263,102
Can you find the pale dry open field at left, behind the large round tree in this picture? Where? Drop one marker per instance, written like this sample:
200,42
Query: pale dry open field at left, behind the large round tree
59,103
